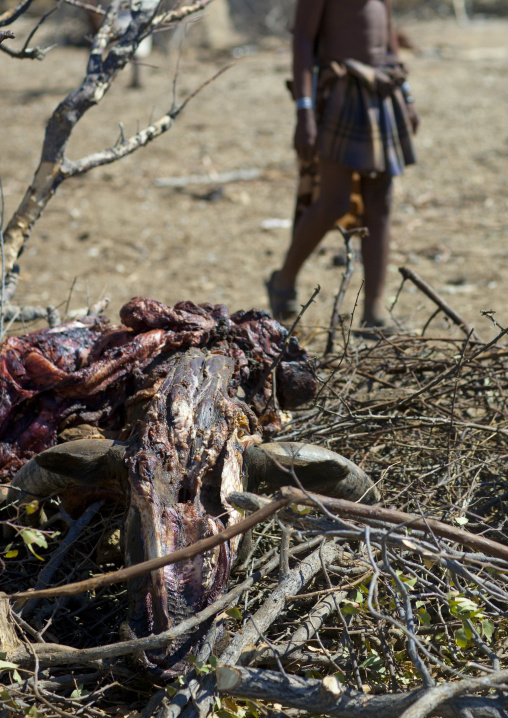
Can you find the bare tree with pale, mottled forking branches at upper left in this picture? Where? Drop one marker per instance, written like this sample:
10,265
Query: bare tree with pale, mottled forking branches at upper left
111,50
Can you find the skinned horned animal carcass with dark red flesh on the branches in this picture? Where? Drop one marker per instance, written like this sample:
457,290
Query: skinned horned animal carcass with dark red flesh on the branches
168,388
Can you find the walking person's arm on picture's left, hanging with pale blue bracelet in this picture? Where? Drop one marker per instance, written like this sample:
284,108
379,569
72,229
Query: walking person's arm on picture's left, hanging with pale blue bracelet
307,21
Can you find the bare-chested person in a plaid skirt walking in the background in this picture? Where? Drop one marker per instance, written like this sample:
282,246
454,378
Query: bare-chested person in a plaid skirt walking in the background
355,118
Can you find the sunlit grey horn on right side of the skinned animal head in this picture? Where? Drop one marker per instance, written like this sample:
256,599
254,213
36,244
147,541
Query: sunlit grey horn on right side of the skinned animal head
318,469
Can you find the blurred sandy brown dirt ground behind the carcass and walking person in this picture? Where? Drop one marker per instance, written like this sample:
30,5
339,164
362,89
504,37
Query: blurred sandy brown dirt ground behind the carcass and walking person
119,232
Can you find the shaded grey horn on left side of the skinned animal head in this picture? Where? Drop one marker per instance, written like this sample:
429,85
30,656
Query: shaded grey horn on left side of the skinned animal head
91,462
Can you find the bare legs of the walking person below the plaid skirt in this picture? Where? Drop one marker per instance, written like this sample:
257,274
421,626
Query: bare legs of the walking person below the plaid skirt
320,217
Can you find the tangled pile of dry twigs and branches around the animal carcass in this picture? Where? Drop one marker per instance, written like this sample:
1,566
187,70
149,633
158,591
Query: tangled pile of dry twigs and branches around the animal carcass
377,619
